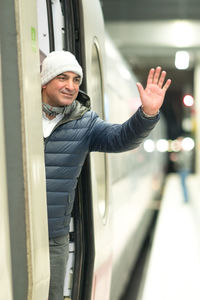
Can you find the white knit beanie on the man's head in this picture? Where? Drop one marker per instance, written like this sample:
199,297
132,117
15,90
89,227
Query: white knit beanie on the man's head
58,62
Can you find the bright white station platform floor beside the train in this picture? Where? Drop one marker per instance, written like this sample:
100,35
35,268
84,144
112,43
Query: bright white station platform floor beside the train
173,269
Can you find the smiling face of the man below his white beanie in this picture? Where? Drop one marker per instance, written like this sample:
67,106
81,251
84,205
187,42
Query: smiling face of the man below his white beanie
62,90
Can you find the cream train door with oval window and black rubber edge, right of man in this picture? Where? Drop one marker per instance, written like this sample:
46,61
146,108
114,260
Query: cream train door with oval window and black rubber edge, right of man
93,263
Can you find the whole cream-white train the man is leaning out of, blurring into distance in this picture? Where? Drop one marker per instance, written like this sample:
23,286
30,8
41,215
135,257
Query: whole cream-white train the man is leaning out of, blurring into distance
113,206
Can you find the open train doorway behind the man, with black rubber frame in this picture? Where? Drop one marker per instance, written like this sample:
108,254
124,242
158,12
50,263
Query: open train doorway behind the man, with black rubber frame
60,27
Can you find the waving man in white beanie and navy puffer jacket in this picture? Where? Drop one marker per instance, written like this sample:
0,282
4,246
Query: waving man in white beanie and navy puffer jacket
71,130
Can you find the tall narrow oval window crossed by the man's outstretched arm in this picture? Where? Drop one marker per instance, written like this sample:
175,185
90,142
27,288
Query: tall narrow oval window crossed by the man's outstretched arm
99,165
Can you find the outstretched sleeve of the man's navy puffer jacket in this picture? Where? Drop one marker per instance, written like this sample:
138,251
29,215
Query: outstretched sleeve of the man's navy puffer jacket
107,137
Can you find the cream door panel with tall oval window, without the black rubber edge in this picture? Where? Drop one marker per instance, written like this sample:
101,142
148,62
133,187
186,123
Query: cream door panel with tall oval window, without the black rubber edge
94,36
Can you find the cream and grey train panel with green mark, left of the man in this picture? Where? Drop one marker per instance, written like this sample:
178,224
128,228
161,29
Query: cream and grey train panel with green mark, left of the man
22,190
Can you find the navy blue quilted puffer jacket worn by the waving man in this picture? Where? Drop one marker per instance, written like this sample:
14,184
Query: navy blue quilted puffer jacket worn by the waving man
67,147
